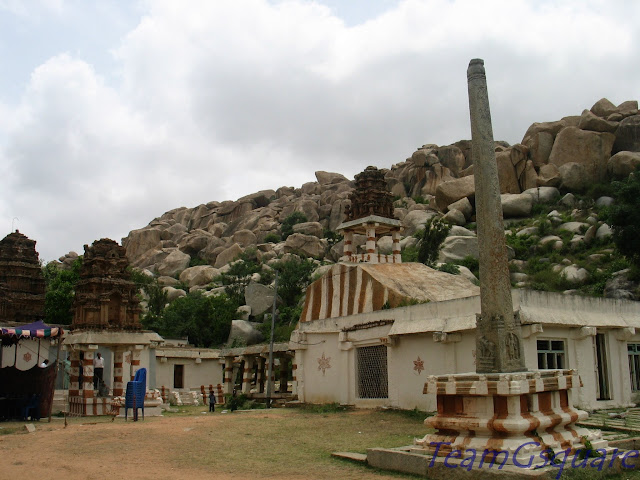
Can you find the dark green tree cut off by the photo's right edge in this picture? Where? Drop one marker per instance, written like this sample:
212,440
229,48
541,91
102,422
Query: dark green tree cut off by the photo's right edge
624,217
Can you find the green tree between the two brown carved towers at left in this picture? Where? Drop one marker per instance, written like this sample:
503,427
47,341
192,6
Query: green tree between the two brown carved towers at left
60,291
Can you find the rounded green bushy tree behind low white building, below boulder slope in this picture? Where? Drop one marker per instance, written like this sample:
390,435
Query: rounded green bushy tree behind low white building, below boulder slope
205,321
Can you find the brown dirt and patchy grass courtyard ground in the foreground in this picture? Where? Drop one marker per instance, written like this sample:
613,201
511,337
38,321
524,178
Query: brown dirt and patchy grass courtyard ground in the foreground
243,445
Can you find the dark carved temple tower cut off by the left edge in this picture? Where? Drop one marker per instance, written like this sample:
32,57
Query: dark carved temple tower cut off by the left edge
22,286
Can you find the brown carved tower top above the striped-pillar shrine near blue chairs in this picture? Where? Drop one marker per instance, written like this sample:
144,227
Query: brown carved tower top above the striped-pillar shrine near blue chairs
106,298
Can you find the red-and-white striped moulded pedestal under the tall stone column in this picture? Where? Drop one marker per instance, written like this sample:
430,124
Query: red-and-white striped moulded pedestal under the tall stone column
523,414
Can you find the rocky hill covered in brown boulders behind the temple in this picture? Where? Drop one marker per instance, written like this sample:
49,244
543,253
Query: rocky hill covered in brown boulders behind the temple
545,181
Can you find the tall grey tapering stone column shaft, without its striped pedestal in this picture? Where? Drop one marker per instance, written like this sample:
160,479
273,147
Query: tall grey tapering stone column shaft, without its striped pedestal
498,335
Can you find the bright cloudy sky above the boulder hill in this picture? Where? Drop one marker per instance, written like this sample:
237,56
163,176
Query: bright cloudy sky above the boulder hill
114,112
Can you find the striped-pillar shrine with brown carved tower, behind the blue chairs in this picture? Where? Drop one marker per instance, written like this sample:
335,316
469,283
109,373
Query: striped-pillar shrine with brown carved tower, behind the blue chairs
106,318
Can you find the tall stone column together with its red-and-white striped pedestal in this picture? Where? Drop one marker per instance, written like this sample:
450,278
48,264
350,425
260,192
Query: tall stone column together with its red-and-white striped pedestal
501,407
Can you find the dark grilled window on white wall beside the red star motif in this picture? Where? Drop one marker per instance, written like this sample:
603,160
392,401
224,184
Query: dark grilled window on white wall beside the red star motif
372,372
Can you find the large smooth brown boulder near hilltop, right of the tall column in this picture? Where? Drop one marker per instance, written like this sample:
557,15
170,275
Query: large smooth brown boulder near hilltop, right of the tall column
589,149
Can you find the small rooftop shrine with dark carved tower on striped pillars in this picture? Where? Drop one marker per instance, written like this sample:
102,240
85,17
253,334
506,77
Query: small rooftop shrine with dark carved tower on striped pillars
370,214
